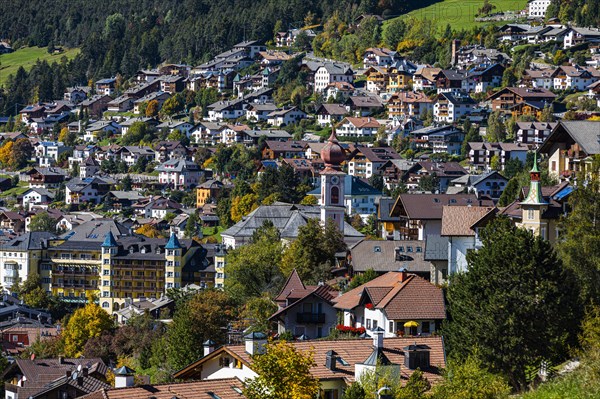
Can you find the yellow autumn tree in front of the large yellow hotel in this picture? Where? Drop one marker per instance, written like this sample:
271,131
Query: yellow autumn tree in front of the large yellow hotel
87,322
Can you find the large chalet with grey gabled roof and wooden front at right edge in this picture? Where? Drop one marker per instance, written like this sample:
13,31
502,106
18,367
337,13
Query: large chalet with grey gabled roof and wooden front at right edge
570,147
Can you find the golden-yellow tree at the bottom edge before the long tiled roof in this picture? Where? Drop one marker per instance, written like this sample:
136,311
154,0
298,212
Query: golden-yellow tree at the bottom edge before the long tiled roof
283,373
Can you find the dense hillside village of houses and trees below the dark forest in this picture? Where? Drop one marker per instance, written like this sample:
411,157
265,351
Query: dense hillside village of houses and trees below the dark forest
202,214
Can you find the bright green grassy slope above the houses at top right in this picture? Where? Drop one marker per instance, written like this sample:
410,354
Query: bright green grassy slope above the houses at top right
460,14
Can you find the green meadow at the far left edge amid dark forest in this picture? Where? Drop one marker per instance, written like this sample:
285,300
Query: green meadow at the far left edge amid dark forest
26,57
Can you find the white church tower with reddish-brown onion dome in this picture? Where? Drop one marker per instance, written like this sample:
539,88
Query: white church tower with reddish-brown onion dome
332,182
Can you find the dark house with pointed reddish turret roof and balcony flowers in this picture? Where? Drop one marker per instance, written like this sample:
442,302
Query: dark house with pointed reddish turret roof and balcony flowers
306,311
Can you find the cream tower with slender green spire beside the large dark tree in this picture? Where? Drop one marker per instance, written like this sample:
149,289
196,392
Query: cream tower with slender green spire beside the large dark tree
534,205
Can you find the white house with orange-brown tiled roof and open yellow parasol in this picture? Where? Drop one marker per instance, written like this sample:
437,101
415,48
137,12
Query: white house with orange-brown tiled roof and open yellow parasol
391,301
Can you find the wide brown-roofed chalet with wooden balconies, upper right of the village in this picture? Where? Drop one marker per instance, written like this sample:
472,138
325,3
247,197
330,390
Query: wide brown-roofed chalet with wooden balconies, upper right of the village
521,101
